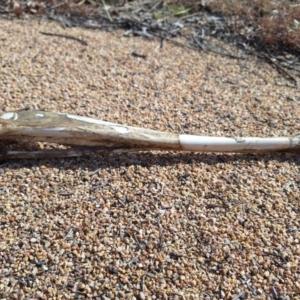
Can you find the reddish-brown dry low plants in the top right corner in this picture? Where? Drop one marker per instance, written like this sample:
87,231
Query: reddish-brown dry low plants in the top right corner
272,25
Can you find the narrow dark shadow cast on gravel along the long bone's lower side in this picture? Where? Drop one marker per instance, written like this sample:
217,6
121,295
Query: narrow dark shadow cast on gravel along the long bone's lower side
148,159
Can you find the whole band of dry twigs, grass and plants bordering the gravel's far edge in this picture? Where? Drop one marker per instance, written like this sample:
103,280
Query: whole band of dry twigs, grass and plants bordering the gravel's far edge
268,29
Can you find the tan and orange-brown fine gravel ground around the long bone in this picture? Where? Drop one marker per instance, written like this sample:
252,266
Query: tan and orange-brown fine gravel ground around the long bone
157,225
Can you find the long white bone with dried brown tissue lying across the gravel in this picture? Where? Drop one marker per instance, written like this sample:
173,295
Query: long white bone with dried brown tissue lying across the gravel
97,136
